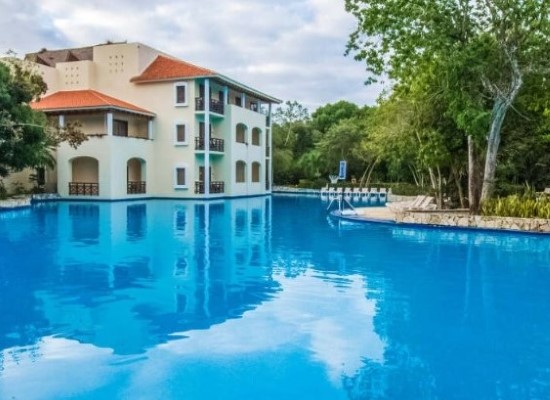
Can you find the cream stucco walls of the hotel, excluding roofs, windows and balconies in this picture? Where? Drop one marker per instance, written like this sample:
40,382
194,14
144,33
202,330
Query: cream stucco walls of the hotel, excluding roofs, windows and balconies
110,73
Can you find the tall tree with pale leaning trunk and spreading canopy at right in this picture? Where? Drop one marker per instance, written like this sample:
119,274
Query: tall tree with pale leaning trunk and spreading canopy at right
496,43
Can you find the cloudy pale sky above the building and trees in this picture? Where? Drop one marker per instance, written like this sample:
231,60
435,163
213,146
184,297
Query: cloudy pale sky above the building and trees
289,49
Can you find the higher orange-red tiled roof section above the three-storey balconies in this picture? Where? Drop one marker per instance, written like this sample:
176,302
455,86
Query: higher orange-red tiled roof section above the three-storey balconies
164,68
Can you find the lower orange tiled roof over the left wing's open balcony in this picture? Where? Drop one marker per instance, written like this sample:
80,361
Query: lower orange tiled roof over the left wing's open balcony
84,99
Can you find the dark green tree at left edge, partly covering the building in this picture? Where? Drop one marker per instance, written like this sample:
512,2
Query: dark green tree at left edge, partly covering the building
26,137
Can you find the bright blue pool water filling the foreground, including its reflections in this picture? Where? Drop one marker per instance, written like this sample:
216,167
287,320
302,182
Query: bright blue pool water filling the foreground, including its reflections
265,298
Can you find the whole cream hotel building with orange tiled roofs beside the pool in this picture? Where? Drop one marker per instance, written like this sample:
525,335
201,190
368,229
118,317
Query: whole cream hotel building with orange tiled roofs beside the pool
155,126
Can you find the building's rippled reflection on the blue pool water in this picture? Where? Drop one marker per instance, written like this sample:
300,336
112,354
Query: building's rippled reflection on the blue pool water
126,280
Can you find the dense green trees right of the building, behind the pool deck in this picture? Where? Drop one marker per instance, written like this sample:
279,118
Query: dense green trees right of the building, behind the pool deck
467,116
